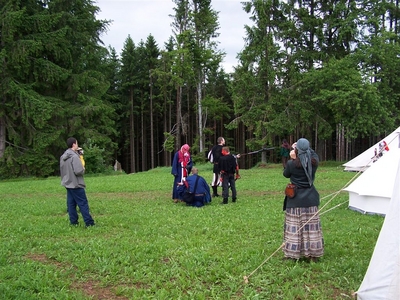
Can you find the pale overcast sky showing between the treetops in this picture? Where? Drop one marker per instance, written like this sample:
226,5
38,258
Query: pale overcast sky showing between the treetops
139,18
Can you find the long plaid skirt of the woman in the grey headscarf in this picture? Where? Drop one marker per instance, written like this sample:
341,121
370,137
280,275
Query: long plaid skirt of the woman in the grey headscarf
303,233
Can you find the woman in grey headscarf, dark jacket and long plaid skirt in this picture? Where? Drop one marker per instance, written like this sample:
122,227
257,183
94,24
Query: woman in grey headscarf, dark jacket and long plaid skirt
302,241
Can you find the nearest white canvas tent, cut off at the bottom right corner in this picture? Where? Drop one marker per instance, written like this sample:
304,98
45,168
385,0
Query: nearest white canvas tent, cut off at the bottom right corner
382,279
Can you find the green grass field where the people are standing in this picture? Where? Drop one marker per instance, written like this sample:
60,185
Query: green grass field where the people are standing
146,247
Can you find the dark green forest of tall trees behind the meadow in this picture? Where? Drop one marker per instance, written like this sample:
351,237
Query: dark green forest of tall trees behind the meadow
324,70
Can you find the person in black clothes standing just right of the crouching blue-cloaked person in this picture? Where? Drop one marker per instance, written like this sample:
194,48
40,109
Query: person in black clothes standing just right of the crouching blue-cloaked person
227,168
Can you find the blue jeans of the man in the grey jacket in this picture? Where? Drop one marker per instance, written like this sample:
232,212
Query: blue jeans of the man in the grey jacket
77,197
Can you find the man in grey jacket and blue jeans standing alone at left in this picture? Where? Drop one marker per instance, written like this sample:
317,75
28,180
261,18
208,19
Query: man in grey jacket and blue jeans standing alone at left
72,170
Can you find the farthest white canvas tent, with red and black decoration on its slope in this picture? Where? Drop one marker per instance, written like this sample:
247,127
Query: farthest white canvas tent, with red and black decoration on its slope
365,159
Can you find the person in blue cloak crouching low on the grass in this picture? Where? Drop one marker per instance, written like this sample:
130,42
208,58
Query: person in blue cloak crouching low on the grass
202,193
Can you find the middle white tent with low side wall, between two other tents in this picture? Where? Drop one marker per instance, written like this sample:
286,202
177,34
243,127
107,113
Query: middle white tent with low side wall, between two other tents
371,192
